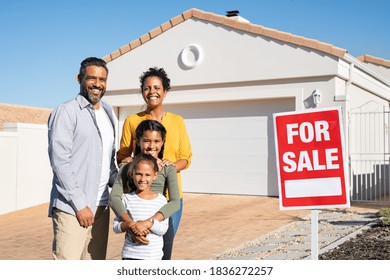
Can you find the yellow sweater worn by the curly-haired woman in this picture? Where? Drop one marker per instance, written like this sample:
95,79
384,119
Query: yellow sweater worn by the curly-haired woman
177,144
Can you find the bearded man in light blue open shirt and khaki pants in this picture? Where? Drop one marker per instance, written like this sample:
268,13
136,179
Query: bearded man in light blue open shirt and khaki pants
82,155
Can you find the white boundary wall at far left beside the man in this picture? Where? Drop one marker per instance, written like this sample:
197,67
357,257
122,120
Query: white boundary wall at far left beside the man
25,173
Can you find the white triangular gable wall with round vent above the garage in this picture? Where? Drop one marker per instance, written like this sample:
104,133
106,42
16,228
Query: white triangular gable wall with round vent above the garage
228,56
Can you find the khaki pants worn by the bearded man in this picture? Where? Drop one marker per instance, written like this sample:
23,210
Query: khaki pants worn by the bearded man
73,242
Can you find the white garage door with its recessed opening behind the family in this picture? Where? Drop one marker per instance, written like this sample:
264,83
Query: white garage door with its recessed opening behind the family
233,146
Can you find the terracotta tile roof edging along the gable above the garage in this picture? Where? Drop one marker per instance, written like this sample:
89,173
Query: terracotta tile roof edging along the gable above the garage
232,23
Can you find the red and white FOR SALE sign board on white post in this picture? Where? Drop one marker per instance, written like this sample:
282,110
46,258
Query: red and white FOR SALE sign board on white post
311,160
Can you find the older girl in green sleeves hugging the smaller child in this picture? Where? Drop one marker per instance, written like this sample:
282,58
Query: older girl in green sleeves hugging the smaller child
150,139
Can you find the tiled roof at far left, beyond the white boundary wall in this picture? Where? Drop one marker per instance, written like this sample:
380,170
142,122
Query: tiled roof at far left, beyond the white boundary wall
22,114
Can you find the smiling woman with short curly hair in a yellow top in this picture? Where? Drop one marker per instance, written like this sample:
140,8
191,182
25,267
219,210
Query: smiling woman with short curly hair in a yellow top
155,85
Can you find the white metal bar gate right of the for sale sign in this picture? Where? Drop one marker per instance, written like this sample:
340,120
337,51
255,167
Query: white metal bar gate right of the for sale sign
369,153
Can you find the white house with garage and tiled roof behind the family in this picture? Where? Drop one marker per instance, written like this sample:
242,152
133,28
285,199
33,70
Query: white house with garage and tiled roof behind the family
229,76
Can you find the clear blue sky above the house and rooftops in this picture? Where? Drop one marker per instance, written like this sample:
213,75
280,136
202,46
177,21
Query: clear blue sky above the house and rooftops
42,42
